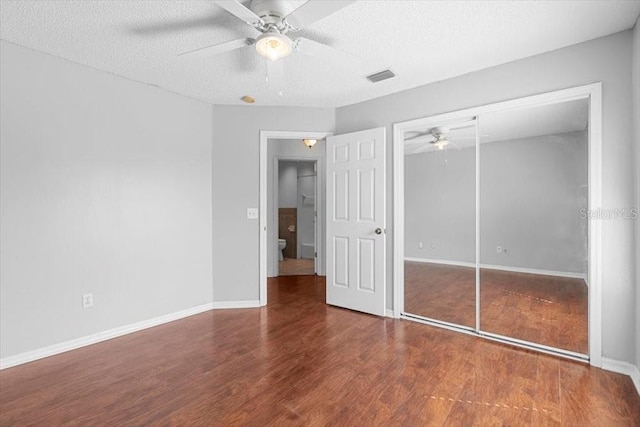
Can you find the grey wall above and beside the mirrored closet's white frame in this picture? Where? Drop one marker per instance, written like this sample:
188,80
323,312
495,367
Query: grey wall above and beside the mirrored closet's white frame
606,59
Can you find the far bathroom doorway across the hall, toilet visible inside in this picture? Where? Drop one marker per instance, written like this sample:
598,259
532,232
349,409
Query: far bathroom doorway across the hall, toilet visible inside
297,213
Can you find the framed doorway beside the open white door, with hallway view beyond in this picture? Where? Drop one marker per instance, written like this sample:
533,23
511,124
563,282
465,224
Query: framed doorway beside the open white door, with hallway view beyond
293,189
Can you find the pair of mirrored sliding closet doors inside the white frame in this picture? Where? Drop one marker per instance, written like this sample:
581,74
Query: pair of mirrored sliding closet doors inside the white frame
496,237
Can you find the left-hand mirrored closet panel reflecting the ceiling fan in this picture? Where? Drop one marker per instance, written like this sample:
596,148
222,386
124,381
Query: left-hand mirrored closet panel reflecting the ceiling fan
440,223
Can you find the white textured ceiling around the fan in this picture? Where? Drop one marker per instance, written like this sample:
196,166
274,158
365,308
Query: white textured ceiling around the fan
421,41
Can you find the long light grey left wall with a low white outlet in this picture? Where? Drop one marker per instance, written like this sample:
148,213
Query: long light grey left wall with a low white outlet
105,188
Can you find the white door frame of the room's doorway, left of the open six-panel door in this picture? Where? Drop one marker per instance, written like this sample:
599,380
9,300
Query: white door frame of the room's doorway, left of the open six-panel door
265,135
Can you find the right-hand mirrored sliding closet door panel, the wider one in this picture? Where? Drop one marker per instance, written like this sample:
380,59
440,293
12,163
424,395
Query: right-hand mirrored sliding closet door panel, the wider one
533,228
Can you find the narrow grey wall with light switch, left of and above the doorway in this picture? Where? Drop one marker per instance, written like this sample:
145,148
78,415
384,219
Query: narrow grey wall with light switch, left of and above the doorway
236,153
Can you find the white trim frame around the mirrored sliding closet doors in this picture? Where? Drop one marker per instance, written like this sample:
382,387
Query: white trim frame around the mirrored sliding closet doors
592,92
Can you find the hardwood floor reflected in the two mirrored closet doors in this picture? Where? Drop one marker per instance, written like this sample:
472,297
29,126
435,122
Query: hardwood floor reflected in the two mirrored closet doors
541,309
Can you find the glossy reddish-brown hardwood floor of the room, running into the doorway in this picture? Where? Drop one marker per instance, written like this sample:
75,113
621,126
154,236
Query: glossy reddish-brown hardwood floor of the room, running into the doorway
301,362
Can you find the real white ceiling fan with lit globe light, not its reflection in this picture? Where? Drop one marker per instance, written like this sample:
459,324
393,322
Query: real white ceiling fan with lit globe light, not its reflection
274,19
